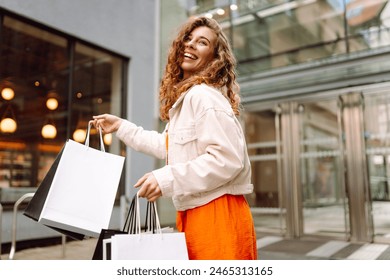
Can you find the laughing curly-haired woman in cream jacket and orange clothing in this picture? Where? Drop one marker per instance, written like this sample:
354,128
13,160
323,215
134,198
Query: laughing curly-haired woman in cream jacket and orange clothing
208,170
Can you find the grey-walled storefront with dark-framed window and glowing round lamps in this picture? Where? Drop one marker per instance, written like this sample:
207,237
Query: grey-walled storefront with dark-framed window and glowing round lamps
60,64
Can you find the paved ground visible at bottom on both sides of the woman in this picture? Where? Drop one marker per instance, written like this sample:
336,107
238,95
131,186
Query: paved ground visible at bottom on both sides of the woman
269,248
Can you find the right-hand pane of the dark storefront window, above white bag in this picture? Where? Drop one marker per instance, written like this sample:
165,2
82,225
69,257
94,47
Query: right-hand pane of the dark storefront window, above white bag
97,80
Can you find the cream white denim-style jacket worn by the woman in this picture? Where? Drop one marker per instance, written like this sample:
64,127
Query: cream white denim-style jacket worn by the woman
207,153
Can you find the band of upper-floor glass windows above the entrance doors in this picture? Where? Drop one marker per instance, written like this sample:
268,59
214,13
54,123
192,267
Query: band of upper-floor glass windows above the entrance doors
267,34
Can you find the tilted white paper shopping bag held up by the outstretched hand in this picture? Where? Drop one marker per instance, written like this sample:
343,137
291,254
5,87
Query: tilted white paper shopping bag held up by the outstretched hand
83,189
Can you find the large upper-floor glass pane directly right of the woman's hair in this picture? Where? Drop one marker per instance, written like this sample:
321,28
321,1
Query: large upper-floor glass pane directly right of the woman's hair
272,34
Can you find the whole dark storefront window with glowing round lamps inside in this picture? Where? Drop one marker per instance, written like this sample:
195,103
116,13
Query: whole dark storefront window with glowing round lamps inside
51,86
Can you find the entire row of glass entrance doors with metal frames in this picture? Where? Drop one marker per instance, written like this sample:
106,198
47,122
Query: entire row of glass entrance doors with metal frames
321,166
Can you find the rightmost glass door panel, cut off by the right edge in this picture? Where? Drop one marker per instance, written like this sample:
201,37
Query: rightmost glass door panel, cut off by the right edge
377,134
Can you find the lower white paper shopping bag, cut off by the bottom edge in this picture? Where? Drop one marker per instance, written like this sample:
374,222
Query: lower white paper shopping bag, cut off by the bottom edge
163,245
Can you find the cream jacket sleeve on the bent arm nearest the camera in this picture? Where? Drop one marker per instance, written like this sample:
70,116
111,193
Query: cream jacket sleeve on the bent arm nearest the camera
221,156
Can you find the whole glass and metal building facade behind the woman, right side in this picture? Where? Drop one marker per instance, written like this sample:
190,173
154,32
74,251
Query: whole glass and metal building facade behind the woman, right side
314,83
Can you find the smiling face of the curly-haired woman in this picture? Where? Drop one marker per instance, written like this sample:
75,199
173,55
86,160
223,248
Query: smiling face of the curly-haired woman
199,50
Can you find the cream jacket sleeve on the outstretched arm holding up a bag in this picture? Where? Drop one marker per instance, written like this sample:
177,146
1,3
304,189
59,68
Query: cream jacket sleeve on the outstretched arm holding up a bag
145,141
